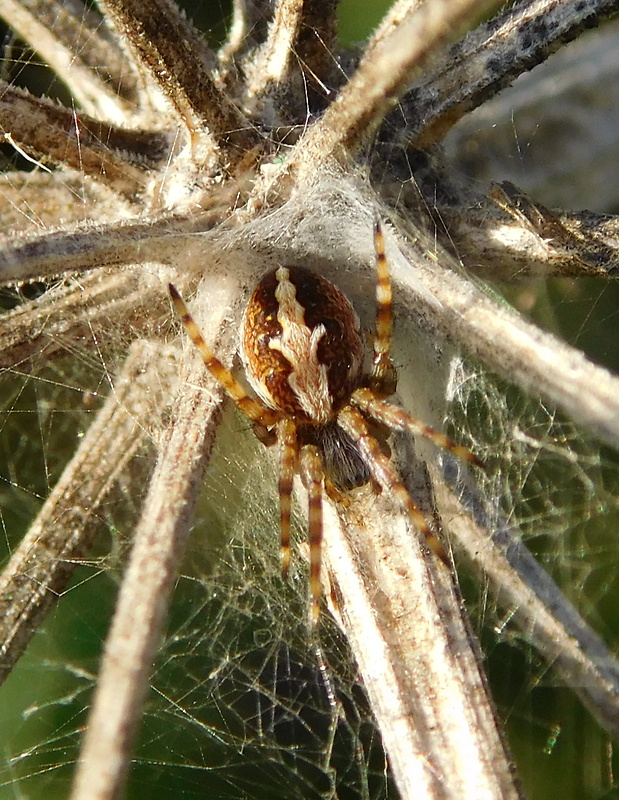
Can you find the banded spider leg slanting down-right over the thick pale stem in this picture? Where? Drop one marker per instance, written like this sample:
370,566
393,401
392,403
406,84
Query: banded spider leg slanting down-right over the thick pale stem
383,472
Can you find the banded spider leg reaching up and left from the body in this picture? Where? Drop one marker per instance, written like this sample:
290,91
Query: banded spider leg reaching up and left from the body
263,417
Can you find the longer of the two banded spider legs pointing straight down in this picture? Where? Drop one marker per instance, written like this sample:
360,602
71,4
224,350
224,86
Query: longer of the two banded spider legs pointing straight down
312,476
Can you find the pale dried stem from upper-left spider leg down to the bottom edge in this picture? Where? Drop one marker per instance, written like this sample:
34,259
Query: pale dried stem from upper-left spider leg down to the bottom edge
142,607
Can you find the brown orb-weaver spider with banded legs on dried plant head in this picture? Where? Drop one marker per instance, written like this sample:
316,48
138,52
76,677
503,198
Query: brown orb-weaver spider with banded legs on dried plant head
302,351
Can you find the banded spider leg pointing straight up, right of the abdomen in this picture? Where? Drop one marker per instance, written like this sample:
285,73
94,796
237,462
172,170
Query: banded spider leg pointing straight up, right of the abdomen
384,377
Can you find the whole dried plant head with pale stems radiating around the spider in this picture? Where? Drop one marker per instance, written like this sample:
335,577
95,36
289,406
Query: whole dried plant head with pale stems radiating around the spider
205,168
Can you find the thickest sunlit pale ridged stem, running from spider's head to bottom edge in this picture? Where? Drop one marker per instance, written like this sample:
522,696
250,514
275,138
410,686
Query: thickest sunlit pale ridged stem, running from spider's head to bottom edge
418,659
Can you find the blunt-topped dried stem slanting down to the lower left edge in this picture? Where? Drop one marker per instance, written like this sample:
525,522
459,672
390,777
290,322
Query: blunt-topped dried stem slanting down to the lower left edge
42,565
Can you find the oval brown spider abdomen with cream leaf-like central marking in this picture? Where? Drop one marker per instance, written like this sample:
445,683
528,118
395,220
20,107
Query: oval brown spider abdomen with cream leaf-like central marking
301,344
